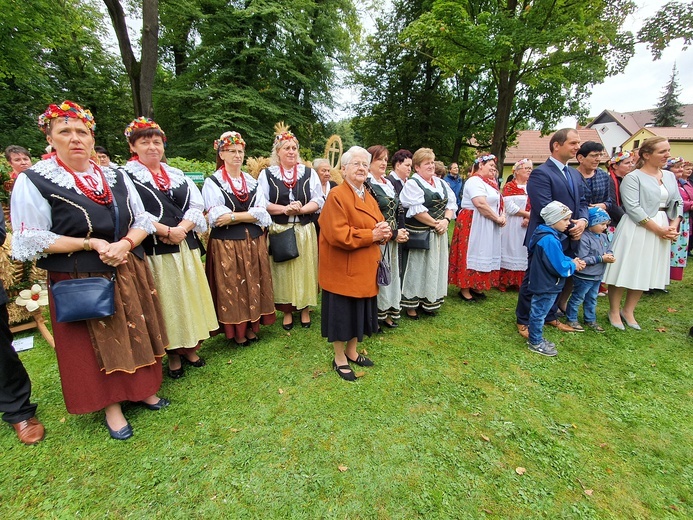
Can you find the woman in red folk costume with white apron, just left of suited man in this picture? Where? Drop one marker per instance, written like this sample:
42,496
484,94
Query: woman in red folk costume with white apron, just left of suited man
513,250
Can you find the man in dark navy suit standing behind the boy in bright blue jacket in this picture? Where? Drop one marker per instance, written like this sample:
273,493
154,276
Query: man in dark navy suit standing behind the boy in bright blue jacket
554,180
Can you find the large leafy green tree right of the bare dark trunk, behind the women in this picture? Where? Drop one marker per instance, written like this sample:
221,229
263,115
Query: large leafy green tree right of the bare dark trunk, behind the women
250,64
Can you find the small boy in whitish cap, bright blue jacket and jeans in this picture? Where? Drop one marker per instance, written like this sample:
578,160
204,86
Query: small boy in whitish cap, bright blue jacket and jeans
549,269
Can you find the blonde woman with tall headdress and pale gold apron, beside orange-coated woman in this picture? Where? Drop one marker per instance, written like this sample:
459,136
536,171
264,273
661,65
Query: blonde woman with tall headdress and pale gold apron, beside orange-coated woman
294,194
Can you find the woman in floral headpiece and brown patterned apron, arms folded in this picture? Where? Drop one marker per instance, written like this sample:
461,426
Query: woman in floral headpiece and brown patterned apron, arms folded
237,265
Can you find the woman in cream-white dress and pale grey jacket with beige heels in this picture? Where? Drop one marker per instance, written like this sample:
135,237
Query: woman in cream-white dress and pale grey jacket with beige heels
642,242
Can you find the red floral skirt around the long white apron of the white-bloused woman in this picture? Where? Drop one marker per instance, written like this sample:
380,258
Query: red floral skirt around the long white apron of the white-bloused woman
458,273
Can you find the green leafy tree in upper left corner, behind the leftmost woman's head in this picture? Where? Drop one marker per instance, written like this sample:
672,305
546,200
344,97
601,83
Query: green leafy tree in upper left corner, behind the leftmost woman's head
51,51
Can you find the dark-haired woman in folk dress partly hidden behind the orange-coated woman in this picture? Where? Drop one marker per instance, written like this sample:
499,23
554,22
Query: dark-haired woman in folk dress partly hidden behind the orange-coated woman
389,296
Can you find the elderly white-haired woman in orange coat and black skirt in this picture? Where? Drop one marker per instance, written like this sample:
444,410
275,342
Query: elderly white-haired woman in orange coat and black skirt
351,226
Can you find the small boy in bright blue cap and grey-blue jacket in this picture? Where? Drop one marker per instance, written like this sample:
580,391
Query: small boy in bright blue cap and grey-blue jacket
595,250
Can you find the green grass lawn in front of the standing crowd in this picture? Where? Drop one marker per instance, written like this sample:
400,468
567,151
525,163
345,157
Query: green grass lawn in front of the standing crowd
439,428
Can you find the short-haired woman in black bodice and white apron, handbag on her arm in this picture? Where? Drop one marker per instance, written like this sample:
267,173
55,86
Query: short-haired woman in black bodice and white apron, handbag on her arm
430,204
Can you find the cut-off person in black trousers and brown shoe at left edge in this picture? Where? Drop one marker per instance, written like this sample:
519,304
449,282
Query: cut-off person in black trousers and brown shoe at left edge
15,387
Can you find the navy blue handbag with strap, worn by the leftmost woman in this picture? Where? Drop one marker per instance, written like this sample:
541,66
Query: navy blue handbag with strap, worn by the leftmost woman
80,299
